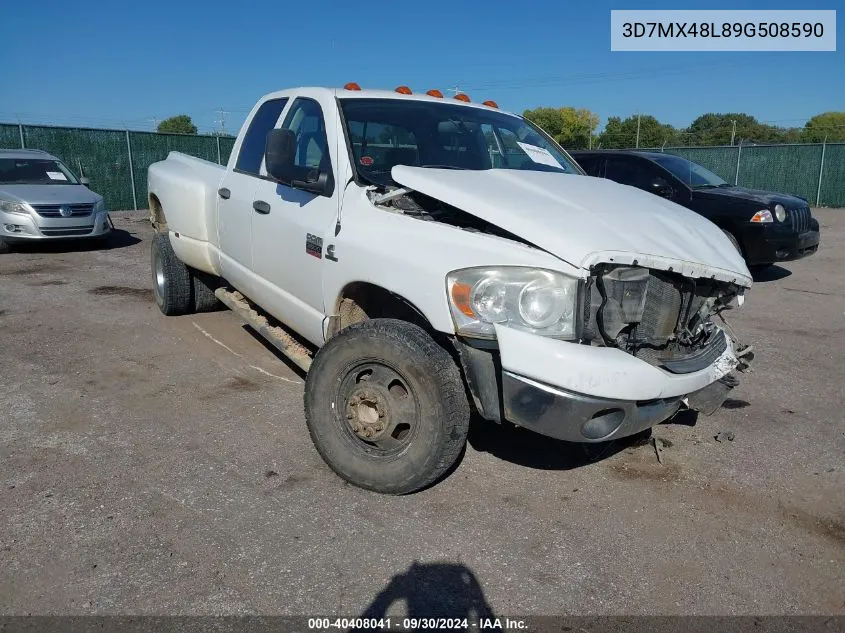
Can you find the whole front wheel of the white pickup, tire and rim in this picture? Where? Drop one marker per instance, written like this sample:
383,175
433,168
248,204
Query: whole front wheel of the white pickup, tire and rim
386,406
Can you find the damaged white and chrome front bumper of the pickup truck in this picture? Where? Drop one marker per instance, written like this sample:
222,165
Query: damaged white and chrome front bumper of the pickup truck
582,393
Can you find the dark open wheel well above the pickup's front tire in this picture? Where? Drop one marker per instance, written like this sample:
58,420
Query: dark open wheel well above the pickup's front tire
360,301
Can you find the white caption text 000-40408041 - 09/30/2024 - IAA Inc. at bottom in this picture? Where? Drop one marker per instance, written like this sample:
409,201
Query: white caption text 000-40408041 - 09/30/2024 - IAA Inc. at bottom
416,624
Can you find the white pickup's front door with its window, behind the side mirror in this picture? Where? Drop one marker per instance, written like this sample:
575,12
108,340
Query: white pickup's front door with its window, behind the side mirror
293,229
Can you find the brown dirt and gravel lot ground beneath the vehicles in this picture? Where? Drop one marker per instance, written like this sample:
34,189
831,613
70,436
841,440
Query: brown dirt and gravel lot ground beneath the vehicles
154,465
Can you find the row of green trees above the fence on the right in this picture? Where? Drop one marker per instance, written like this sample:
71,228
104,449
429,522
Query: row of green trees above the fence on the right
575,128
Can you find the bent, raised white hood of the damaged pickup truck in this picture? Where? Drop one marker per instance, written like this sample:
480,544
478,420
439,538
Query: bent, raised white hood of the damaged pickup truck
584,220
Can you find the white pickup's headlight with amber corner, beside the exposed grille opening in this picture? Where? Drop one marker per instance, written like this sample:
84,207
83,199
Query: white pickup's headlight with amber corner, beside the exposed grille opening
539,301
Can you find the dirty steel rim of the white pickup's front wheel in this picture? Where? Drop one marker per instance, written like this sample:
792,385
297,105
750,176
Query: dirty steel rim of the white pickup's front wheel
377,409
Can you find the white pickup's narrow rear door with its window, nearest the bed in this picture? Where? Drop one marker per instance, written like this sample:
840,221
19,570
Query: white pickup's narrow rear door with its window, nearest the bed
236,195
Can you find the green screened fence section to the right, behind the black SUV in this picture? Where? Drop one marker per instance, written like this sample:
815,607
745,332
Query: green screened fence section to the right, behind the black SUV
813,171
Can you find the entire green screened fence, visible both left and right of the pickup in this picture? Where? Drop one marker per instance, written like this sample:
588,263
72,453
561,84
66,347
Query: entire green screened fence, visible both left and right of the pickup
116,161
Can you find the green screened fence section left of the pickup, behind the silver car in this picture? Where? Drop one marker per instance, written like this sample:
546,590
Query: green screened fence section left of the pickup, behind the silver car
115,161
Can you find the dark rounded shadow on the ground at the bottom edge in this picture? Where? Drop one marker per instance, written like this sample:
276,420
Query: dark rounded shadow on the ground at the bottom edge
431,590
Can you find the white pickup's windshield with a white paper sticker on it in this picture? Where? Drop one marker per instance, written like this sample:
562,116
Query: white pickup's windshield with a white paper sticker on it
389,132
